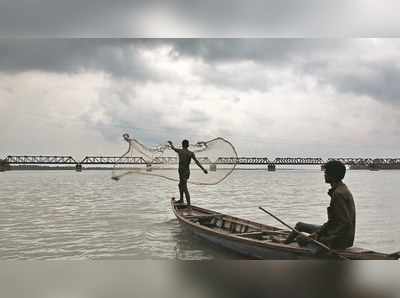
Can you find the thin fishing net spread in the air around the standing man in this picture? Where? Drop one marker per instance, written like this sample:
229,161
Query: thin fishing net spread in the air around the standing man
217,156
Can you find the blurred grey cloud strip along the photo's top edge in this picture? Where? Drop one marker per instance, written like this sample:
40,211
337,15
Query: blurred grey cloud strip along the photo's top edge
233,18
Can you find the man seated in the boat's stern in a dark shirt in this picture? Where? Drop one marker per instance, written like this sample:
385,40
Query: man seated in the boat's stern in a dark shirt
338,232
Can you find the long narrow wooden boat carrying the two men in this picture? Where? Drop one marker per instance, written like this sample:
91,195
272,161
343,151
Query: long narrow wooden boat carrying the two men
255,240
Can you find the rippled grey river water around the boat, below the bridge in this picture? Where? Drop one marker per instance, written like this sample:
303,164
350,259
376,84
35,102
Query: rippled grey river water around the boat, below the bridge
68,215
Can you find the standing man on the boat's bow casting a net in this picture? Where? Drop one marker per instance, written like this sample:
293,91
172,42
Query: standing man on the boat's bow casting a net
185,157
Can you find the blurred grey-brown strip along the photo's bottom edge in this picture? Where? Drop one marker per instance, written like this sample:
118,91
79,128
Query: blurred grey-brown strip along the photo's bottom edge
220,279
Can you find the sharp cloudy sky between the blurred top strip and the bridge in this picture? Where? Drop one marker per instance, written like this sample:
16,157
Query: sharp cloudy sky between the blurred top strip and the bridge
270,97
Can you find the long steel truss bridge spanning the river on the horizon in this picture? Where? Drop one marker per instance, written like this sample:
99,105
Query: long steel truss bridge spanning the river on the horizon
38,160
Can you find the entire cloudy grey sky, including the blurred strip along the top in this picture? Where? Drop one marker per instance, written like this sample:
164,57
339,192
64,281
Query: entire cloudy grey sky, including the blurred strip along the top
310,87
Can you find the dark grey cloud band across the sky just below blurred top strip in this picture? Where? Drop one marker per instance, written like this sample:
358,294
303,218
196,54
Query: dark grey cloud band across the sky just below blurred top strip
333,62
